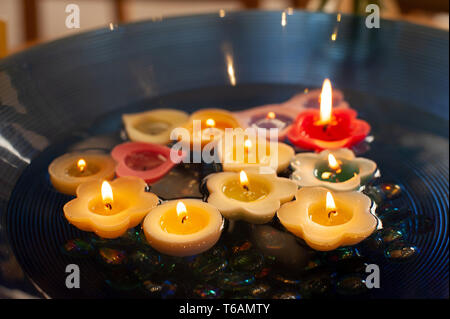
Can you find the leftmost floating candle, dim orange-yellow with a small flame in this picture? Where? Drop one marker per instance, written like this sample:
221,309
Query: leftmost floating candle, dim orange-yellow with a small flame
72,169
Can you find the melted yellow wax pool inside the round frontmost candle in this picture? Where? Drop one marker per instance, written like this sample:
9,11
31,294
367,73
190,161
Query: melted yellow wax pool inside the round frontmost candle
187,223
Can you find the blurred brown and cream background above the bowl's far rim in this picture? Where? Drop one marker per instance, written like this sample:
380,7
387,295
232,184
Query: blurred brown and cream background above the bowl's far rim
27,22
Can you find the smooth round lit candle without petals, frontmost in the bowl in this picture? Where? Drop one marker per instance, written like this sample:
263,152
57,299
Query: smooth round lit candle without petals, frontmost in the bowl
183,228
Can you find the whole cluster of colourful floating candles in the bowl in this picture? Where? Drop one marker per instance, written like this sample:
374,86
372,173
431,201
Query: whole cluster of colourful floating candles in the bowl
328,211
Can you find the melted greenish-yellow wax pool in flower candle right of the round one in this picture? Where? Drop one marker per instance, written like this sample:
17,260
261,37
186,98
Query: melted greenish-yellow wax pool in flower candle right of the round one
256,190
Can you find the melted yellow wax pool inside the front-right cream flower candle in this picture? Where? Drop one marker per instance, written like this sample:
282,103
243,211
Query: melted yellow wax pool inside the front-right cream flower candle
319,214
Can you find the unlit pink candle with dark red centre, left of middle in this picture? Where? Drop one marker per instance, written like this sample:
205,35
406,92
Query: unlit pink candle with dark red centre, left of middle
147,161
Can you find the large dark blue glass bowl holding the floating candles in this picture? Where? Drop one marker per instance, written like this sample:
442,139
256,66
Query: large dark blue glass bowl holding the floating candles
57,94
